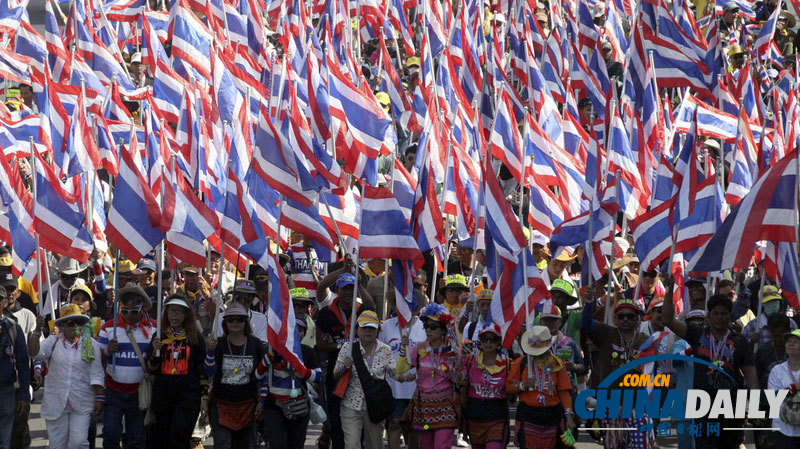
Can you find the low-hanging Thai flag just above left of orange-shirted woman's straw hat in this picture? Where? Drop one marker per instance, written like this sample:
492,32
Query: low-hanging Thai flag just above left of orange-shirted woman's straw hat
517,286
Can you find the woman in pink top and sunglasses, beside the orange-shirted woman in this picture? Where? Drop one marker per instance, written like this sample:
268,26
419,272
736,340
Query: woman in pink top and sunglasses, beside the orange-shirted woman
486,372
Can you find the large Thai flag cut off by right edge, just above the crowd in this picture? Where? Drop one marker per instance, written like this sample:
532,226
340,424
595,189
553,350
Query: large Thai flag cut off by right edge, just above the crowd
766,213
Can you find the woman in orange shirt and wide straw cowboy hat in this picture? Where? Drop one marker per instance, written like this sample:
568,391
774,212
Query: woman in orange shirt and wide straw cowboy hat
544,393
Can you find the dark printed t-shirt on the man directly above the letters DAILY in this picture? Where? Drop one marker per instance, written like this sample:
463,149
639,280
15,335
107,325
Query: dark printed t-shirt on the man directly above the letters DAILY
734,354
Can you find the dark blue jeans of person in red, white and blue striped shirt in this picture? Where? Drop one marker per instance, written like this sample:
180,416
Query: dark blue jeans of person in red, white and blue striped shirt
121,406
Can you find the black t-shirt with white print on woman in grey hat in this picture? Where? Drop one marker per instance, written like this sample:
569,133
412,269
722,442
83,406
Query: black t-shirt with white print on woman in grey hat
234,379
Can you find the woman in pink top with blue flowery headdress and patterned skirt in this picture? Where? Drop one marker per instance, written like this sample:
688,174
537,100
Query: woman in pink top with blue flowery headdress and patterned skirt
434,410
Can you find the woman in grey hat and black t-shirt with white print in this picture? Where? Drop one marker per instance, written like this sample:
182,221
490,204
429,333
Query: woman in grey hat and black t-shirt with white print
235,363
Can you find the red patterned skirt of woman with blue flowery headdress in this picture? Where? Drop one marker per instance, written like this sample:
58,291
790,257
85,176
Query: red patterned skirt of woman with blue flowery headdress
431,411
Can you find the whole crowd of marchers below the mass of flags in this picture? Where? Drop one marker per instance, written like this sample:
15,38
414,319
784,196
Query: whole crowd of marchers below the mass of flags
443,379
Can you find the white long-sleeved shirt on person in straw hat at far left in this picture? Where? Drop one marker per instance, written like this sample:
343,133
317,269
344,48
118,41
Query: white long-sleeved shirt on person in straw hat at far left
69,378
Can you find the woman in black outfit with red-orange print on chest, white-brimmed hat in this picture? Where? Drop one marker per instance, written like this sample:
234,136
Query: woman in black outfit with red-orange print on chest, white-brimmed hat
179,381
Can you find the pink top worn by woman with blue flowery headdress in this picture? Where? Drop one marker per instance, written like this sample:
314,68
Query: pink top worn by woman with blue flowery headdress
436,367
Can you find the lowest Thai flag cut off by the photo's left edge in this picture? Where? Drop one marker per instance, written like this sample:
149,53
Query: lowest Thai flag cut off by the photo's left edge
17,221
